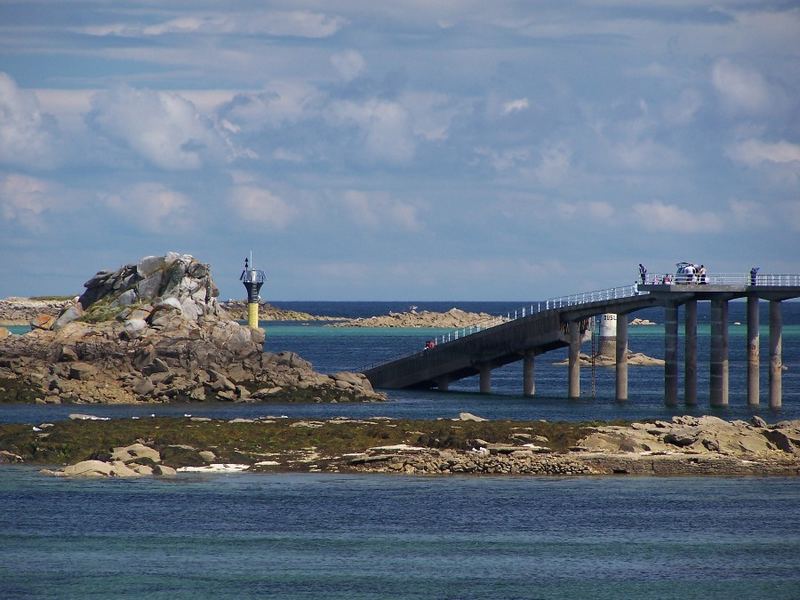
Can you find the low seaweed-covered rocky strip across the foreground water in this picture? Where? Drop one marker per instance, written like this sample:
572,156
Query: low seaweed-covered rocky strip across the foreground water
465,445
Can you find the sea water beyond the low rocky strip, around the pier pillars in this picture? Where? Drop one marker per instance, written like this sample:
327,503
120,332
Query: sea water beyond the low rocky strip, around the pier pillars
334,349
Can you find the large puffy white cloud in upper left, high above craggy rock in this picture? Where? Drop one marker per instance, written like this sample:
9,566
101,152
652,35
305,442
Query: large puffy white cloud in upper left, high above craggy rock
163,128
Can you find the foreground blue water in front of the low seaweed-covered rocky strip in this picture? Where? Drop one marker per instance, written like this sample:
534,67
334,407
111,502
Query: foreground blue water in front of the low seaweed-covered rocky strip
366,536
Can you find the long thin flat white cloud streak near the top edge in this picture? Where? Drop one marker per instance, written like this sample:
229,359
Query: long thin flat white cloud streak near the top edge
302,24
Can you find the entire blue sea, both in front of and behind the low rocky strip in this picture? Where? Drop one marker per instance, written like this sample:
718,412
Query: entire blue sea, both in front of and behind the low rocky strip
377,536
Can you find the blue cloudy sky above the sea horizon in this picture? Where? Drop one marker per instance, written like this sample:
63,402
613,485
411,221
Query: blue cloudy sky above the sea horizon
408,150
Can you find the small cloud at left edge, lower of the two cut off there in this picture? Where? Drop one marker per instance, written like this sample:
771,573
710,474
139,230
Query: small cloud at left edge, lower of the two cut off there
25,200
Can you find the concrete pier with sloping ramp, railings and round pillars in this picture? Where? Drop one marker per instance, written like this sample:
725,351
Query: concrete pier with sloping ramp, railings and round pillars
560,322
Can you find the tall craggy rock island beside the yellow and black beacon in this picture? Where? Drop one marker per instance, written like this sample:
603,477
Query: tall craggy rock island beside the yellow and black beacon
154,331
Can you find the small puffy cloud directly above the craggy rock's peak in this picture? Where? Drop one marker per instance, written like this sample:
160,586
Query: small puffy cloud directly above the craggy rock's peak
153,207
